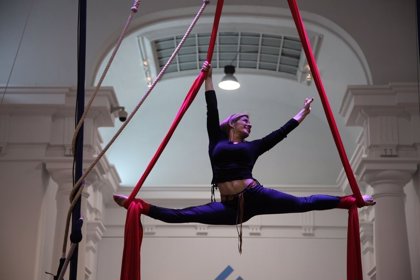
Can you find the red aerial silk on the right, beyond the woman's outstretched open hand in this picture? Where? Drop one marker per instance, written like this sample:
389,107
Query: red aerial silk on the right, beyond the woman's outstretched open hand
354,263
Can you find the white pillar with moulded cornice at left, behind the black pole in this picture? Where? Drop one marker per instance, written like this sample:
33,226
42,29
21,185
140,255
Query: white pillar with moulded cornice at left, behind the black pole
36,128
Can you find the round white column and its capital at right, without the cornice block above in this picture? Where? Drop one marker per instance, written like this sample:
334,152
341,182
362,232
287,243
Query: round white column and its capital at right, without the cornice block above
392,255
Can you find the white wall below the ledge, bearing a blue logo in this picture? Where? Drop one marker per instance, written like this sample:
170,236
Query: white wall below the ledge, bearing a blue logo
206,258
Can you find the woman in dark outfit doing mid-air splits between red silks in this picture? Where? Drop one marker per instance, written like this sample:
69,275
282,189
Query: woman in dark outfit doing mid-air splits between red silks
232,160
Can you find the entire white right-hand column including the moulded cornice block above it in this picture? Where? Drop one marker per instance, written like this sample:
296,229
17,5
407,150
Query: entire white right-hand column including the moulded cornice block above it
386,158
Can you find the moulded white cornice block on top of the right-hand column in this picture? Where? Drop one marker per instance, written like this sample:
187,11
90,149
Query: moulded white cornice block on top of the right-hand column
389,118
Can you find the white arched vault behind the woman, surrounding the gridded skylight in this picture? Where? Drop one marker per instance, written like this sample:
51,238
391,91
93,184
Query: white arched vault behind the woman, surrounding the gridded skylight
308,156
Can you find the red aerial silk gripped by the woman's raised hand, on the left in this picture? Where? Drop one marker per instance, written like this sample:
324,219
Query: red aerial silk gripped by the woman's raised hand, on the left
130,268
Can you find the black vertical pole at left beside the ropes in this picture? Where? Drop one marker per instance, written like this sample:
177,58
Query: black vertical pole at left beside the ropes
76,232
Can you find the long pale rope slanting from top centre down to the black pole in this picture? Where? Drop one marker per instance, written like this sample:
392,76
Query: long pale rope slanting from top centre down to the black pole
78,187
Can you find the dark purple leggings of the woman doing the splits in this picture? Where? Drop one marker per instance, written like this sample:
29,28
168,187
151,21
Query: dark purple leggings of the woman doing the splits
258,200
